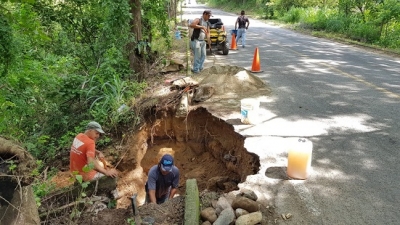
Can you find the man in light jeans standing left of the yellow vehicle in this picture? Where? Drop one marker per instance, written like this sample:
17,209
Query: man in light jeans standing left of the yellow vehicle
201,32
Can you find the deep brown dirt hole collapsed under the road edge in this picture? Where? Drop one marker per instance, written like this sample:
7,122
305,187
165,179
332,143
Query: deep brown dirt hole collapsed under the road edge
205,148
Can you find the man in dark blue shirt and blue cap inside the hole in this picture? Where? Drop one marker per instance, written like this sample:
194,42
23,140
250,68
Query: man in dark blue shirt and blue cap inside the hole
163,181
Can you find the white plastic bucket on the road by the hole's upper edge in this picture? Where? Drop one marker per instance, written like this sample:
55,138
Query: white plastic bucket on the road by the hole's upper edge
249,110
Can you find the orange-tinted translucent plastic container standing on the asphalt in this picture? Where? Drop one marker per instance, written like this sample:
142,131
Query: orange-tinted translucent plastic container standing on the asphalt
299,159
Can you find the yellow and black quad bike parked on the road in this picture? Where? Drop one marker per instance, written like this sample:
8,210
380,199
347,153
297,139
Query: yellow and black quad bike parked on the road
218,36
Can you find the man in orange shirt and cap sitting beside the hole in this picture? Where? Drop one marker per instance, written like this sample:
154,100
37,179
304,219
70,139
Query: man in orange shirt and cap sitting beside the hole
83,154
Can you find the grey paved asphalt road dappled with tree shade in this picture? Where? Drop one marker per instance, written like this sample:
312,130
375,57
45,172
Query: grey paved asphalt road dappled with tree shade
344,99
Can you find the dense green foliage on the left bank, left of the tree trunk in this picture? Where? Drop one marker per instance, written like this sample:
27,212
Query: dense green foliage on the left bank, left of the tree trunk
57,58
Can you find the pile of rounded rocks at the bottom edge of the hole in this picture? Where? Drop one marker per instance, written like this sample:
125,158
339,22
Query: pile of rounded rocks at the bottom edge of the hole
240,210
